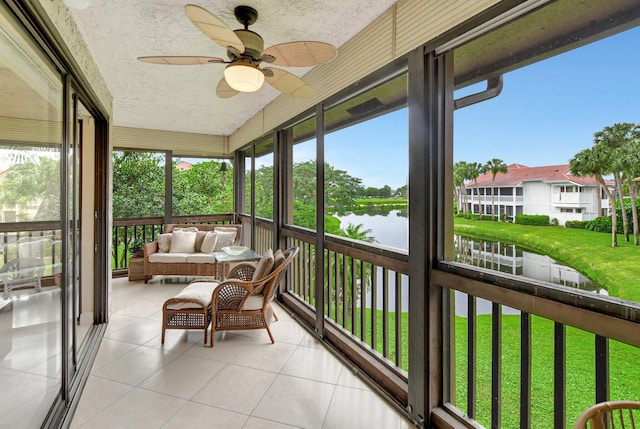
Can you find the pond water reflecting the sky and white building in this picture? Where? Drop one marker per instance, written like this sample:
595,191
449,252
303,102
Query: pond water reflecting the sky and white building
391,229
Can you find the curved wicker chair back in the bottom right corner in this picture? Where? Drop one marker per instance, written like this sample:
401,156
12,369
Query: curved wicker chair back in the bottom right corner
609,415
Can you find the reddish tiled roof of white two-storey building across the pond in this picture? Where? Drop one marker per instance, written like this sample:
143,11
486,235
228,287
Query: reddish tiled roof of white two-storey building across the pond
518,173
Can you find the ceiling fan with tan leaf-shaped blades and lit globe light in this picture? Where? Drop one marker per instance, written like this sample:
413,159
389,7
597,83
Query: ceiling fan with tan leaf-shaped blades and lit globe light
245,49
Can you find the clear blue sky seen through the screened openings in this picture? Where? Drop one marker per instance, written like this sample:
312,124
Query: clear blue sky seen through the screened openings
547,112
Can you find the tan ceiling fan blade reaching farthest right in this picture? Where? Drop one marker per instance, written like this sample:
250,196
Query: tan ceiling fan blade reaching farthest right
301,54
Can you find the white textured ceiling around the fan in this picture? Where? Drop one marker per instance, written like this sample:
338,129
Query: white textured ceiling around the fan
182,98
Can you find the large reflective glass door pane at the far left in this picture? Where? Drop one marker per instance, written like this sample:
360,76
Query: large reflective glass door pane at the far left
31,184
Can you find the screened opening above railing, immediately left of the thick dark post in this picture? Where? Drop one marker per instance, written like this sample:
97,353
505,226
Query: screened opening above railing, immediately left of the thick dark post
366,166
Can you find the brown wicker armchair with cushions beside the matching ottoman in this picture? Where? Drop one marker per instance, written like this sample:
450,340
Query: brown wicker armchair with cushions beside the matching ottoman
235,307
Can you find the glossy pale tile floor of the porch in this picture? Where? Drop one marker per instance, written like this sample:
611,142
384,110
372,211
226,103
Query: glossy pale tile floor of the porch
243,382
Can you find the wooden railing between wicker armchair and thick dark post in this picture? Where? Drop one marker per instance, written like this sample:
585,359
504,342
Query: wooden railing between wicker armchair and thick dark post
365,302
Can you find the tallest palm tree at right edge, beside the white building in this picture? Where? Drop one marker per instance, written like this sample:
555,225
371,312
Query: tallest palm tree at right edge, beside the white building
616,137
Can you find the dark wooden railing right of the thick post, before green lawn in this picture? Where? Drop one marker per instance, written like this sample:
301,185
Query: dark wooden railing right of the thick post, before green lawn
529,354
